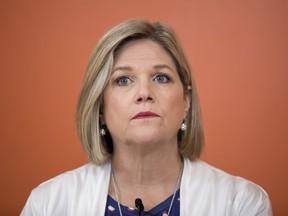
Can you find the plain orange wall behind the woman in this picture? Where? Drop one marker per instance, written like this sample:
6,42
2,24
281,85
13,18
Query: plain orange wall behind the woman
239,55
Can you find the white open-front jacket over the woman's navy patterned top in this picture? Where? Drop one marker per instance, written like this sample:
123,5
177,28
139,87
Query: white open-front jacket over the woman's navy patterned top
204,191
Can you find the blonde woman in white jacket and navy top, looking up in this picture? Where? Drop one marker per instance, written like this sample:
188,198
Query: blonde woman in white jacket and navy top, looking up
139,121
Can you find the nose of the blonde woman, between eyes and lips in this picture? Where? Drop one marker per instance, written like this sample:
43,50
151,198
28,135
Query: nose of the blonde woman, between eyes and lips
145,92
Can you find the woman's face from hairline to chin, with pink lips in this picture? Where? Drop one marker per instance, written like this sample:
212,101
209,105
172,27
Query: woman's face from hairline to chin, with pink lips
144,101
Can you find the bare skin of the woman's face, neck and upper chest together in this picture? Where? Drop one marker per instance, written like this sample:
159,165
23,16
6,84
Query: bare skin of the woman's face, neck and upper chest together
145,160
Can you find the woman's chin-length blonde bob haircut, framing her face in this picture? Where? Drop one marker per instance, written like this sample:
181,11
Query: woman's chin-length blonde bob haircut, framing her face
100,148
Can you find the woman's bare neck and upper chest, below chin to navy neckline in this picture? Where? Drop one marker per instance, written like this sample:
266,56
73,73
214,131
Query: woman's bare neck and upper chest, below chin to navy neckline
150,173
